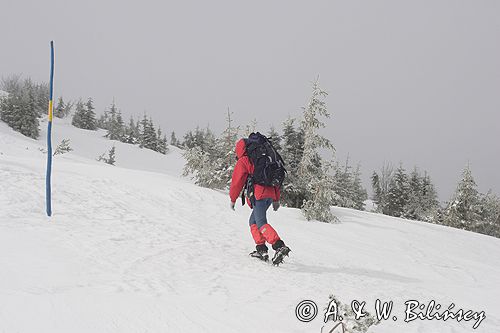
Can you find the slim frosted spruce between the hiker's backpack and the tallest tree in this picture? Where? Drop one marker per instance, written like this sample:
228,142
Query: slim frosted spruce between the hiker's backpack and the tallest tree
292,149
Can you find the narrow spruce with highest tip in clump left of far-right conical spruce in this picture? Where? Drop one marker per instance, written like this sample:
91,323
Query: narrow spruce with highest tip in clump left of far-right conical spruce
398,195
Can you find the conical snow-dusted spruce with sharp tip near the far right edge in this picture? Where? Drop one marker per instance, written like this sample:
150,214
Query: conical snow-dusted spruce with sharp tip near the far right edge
463,211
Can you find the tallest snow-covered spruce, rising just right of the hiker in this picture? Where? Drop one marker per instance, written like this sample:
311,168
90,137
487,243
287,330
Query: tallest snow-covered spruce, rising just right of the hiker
310,169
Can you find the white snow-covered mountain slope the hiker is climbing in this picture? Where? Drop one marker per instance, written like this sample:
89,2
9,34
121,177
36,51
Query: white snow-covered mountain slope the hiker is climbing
136,248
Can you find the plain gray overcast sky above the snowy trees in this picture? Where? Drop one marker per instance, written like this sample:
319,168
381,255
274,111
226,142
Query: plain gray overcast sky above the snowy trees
410,81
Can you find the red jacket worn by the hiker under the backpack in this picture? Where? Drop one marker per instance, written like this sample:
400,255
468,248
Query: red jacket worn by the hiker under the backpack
242,169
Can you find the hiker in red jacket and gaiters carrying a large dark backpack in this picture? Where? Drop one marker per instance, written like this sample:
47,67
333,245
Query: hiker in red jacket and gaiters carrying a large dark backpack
259,198
